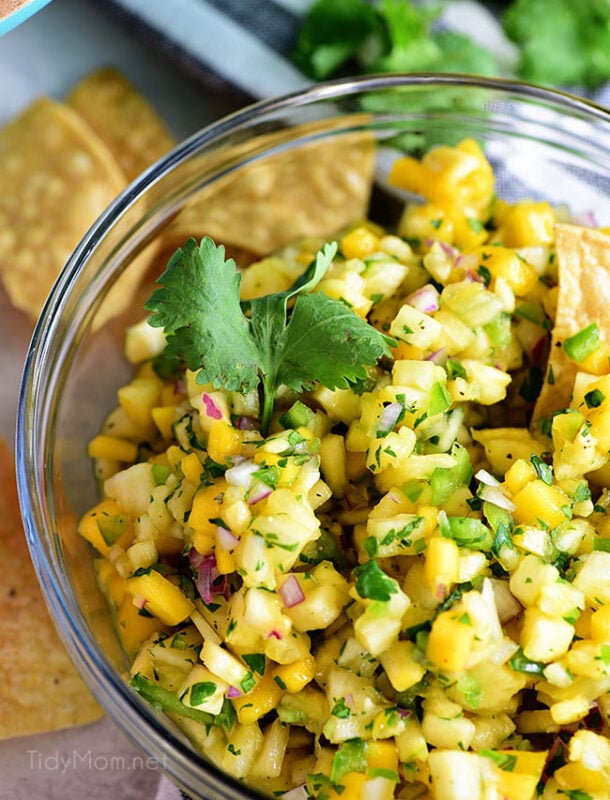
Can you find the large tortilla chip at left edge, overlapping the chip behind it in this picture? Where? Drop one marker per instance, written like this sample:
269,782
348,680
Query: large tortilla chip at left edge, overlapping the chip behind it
57,176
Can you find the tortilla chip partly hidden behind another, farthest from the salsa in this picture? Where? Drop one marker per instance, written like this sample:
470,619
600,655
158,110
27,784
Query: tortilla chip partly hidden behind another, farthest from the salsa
122,118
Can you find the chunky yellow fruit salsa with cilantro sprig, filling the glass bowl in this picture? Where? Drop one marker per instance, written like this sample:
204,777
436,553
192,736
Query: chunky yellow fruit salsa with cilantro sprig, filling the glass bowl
369,557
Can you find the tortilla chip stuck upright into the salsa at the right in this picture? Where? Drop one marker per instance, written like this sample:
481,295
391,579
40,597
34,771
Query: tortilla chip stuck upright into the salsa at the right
583,262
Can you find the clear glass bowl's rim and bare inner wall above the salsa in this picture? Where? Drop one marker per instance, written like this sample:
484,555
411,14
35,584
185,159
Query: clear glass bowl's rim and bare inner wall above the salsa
542,144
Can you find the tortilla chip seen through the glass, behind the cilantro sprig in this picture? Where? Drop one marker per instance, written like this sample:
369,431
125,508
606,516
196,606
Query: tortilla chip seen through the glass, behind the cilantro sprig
314,190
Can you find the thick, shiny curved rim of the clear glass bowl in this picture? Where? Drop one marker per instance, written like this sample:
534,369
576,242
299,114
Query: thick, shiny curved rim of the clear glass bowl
131,714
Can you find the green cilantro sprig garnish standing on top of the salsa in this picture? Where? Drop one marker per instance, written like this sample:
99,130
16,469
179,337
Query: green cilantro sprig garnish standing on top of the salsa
275,343
